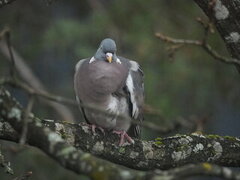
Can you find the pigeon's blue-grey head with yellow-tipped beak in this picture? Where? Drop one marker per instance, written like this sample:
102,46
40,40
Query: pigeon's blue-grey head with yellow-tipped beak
107,51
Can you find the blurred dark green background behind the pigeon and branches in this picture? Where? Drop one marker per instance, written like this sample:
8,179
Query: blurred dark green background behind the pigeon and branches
189,86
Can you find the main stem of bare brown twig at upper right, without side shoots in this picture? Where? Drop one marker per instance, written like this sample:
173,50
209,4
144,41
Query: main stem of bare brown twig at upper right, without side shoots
205,46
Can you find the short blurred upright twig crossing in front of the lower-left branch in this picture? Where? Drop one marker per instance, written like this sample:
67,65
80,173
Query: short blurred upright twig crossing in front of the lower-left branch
25,119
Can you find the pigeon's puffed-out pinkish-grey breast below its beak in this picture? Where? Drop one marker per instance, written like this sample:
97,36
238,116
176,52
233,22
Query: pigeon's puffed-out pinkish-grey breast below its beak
96,81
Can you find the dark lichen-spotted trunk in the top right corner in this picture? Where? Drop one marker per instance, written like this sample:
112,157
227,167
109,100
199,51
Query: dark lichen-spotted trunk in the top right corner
226,16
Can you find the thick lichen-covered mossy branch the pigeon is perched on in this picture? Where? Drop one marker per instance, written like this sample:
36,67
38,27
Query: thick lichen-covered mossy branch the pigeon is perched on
162,153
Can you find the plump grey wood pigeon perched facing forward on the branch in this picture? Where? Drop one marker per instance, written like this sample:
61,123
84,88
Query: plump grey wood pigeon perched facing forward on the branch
114,84
